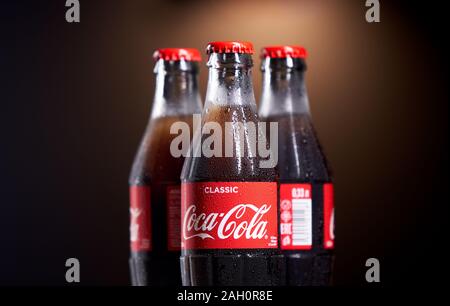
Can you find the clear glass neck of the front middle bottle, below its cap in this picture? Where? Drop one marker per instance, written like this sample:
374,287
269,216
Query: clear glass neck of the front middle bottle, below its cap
230,80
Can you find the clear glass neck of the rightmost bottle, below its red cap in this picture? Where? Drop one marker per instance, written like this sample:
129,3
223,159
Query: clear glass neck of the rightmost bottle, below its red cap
284,91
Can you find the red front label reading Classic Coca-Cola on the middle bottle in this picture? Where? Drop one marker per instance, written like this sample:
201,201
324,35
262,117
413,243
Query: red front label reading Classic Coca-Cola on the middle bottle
229,215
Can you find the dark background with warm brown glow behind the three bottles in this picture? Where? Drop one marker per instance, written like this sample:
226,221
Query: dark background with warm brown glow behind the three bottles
75,99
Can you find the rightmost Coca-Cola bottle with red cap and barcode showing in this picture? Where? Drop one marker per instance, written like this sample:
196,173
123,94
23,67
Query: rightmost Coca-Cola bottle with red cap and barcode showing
305,189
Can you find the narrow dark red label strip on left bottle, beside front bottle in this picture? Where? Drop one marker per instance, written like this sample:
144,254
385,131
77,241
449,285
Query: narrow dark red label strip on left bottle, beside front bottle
173,203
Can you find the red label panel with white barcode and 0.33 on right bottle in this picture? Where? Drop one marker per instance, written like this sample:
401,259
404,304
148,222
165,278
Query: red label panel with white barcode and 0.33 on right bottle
295,216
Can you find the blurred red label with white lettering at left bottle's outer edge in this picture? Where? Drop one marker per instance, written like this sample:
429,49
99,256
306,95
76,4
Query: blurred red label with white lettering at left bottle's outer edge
140,239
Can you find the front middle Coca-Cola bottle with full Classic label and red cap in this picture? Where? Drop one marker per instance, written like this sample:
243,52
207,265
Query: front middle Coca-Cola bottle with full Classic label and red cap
229,202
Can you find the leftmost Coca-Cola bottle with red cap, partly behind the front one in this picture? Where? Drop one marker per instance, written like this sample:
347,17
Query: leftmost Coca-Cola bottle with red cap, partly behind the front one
155,196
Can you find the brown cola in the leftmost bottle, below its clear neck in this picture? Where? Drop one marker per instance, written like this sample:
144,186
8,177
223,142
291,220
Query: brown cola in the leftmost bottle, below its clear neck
155,167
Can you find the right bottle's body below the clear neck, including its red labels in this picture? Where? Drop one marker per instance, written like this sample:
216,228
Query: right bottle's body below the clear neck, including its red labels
310,262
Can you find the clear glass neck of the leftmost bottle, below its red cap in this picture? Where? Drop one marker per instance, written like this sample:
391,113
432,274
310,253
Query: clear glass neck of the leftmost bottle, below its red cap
176,91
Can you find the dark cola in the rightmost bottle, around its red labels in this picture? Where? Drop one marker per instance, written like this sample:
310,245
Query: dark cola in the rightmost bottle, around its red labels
301,160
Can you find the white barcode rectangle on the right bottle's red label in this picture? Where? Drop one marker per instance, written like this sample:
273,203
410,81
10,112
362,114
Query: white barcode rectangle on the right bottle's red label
301,222
